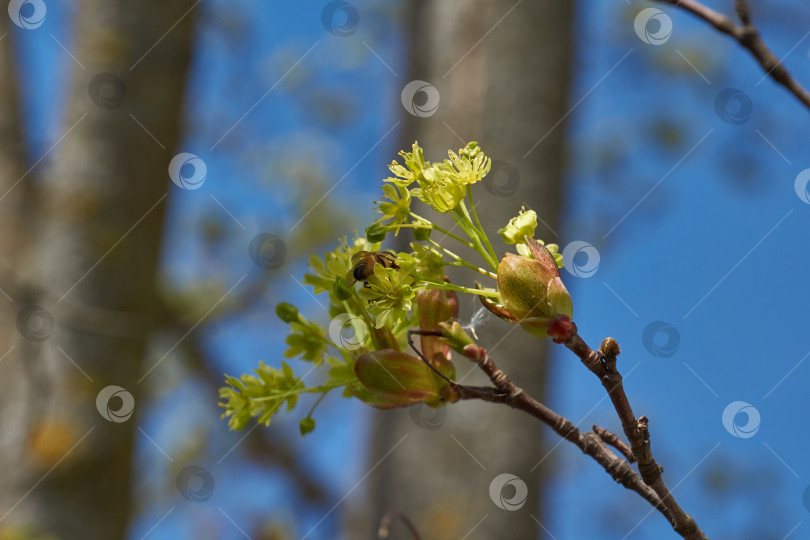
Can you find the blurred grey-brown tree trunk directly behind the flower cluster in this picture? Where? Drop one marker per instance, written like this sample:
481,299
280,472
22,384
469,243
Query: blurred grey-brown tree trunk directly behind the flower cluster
507,92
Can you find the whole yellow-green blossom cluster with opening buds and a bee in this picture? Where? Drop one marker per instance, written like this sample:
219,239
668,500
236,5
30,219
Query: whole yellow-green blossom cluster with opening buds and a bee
386,294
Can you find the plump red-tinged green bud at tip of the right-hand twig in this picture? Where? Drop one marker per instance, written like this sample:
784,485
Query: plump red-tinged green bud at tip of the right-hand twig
531,290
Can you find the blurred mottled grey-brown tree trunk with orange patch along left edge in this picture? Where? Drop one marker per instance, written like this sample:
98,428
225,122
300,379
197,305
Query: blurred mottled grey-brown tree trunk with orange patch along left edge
88,254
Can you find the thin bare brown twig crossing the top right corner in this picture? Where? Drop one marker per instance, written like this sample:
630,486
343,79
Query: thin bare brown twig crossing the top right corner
748,36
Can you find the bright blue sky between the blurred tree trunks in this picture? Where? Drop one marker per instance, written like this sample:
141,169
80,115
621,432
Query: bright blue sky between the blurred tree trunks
707,236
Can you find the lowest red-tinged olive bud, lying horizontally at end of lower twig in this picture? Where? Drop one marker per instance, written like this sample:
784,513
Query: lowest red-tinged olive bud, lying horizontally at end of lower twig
396,379
